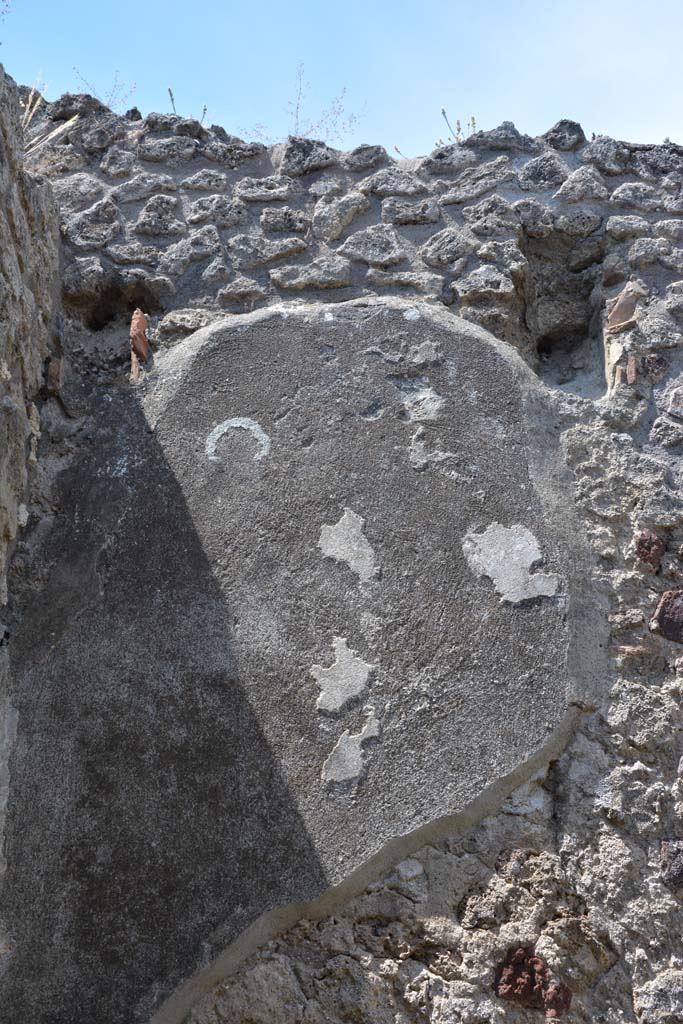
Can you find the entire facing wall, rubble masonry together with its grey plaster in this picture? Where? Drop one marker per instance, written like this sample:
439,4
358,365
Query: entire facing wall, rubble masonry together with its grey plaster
565,902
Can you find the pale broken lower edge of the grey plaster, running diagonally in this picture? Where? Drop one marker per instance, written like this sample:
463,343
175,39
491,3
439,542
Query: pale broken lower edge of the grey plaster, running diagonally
273,923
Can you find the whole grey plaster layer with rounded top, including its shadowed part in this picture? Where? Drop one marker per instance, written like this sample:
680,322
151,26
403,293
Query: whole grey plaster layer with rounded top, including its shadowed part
176,773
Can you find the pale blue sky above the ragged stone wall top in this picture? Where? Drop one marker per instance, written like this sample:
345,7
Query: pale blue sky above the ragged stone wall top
616,67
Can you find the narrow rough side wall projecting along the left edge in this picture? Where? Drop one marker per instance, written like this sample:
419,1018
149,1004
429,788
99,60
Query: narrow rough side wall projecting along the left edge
29,288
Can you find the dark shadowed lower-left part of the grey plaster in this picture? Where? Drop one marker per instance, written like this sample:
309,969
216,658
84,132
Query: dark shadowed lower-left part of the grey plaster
138,755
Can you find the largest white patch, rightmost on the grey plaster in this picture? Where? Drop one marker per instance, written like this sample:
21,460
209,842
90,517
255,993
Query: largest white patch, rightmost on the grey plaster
506,556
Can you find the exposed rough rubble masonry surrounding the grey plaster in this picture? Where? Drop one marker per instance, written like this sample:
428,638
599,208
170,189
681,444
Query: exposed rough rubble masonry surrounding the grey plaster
567,900
